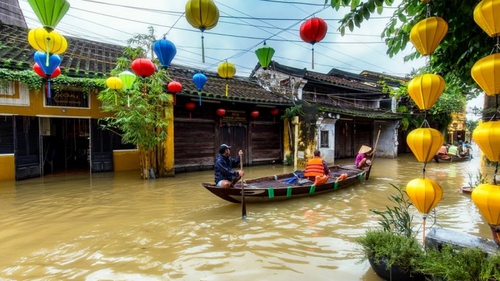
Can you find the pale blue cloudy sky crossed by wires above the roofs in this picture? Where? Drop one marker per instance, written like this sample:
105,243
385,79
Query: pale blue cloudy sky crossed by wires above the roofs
243,26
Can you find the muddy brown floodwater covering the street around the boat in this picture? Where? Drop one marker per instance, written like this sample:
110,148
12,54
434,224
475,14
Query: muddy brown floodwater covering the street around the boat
118,227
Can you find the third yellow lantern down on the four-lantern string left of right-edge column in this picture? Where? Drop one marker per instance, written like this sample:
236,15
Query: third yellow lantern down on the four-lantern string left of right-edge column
425,143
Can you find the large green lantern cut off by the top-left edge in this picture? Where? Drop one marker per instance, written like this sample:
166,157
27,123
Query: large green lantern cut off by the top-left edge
49,12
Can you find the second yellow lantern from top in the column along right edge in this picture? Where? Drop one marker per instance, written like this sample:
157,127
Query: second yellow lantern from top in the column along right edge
485,72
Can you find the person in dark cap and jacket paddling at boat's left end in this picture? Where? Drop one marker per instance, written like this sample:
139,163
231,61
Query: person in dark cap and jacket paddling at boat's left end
225,176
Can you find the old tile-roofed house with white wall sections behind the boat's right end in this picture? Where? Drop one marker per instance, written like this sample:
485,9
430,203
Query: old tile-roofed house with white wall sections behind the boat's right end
341,111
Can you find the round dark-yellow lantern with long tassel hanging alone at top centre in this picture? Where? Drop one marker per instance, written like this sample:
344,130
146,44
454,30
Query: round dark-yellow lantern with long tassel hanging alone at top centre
204,15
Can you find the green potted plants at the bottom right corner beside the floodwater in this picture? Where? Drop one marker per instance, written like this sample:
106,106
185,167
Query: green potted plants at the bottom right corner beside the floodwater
395,253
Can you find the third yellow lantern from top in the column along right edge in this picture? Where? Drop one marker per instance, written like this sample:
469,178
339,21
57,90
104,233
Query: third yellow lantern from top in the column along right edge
487,137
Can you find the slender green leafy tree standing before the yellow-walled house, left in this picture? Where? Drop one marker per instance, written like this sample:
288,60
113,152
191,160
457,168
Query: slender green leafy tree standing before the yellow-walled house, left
139,114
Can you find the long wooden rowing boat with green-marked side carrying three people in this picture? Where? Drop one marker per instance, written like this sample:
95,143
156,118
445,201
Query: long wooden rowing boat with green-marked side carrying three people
289,185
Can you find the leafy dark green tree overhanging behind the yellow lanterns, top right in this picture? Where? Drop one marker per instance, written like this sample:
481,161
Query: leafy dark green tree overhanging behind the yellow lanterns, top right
464,44
